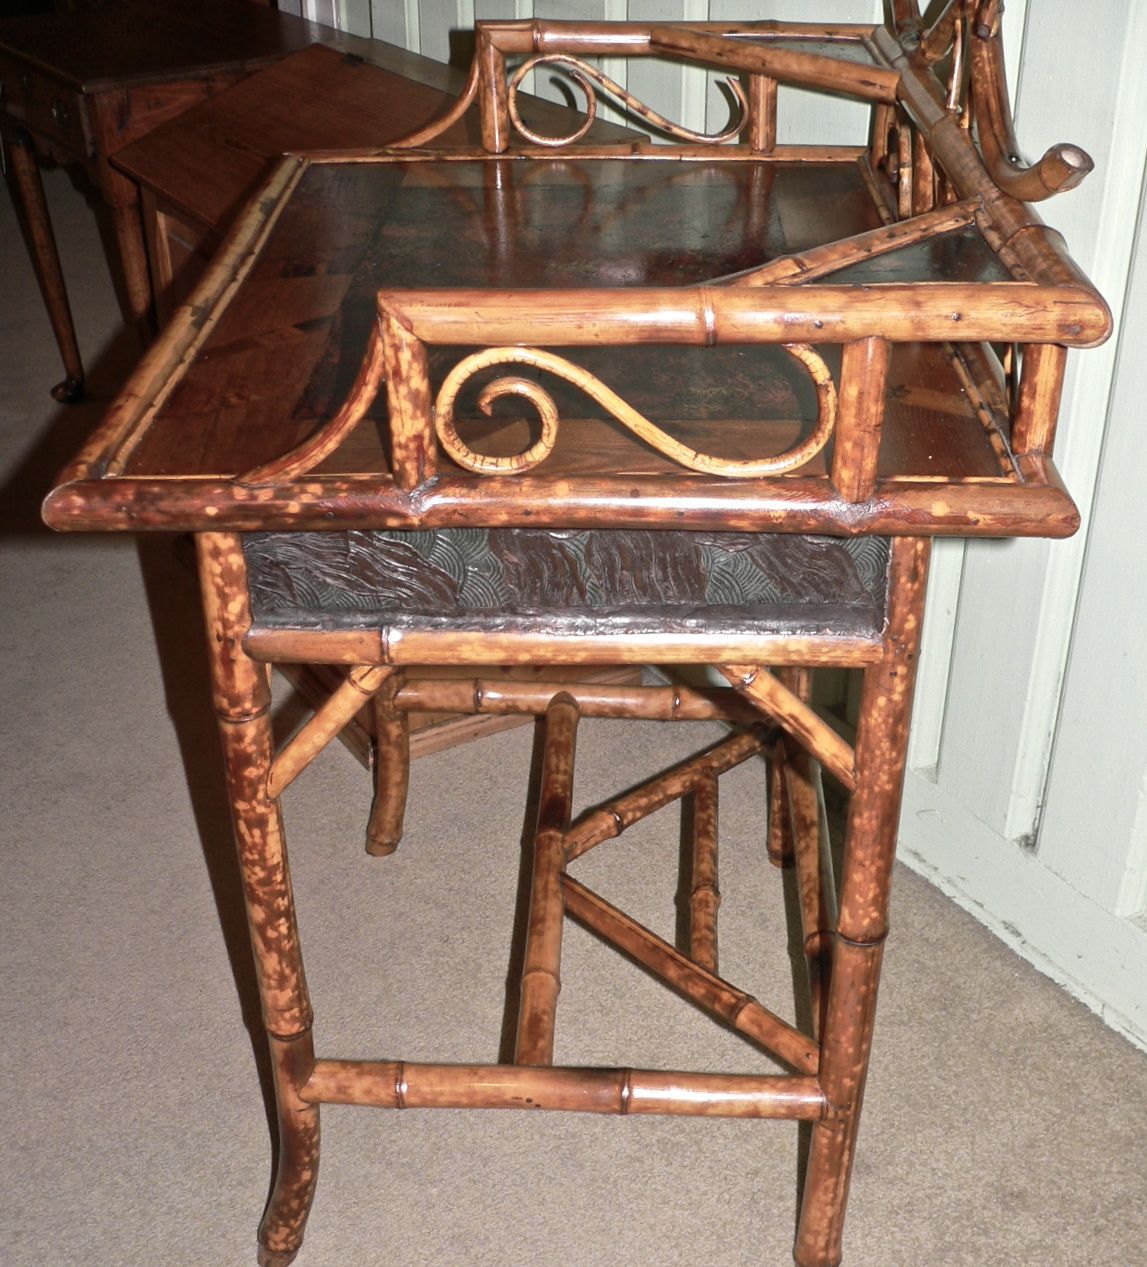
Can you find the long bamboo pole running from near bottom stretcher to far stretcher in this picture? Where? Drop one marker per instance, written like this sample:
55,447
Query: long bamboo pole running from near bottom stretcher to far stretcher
542,966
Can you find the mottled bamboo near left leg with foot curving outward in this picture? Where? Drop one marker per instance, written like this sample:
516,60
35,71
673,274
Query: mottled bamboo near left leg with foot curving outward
243,704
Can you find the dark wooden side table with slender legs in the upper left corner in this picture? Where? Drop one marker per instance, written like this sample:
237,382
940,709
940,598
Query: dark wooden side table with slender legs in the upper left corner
78,88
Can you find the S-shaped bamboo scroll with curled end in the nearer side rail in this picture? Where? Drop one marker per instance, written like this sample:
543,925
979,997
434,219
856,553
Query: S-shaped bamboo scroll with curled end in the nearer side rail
629,417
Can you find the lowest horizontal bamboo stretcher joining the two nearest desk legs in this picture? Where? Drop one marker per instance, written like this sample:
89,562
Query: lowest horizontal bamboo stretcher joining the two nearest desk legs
402,1085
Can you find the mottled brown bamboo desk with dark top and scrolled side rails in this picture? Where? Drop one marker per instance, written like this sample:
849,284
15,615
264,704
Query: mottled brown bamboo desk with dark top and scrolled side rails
546,402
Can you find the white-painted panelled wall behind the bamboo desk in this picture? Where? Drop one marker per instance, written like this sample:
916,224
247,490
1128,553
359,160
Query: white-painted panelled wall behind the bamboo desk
1027,794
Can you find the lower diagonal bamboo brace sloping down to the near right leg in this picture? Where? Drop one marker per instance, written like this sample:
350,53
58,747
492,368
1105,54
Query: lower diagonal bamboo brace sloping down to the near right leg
742,1012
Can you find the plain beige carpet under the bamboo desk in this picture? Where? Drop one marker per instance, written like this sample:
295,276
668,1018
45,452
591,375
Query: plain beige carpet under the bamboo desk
1004,1124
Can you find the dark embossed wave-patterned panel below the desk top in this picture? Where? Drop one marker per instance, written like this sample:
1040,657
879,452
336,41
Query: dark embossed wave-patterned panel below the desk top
501,578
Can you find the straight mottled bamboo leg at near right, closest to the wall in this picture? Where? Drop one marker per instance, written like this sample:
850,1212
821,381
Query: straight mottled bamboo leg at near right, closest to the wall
862,923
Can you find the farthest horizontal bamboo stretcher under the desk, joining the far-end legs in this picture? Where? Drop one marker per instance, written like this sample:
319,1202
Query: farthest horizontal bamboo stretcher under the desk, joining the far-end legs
594,700
